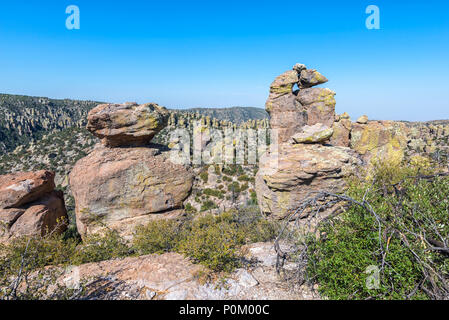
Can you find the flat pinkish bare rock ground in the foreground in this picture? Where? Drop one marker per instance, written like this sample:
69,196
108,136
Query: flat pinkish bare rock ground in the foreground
172,277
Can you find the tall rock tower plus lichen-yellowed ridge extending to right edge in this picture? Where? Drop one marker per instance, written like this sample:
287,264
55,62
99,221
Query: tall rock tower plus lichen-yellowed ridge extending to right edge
317,148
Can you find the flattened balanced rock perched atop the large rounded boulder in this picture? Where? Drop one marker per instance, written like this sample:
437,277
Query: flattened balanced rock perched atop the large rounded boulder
127,124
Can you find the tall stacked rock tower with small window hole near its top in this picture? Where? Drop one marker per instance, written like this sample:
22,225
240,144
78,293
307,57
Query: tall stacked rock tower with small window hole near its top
305,120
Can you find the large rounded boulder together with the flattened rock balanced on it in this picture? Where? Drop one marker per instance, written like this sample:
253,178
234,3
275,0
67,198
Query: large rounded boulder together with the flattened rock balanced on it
126,181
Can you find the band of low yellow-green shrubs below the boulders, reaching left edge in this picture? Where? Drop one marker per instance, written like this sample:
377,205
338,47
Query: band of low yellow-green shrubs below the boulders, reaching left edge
211,240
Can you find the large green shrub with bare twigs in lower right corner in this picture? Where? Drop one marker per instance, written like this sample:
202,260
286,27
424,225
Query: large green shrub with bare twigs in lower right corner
412,214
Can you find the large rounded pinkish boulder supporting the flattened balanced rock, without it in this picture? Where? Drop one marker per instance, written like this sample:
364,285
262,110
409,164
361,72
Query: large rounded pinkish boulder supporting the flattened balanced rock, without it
121,188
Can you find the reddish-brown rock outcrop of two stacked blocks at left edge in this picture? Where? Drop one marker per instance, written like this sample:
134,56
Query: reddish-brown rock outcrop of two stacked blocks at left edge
29,205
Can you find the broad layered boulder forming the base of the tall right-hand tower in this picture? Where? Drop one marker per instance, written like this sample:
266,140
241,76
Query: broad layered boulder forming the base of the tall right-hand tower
300,170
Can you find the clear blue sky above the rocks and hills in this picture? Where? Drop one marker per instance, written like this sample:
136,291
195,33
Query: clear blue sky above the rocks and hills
226,53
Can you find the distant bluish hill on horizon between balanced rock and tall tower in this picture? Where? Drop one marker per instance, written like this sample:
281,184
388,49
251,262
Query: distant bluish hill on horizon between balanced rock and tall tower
236,115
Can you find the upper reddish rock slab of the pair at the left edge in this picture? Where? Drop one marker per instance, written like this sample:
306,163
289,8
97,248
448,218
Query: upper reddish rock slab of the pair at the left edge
18,189
